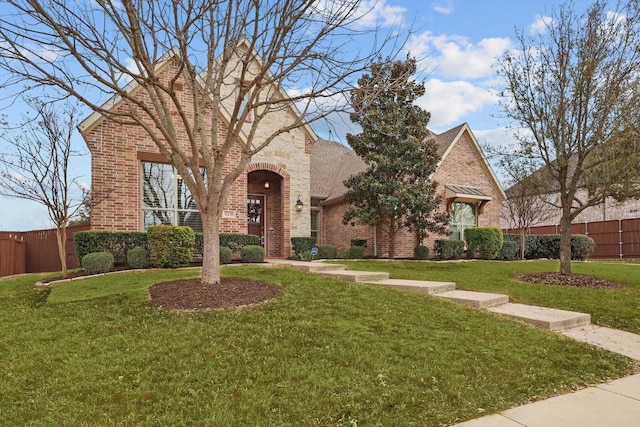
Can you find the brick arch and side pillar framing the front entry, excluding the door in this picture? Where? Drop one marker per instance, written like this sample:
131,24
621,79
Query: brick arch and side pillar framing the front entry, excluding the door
271,183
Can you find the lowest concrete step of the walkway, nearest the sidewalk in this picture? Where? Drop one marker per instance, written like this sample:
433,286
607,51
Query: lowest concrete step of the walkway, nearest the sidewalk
548,318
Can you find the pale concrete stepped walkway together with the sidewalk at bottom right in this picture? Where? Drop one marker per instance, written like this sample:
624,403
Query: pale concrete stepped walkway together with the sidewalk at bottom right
615,403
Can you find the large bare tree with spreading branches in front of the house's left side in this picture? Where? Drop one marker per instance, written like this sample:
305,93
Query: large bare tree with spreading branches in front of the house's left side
233,56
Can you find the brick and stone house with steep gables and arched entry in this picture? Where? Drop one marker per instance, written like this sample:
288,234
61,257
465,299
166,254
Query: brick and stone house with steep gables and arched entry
291,188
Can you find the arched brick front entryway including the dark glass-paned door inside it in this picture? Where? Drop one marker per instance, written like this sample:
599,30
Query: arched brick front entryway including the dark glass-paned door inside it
267,187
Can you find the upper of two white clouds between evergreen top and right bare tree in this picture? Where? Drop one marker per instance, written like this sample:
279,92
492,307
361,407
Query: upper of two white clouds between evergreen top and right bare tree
455,57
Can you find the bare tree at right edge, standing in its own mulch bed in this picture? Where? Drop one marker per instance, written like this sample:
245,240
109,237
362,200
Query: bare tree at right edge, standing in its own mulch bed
576,88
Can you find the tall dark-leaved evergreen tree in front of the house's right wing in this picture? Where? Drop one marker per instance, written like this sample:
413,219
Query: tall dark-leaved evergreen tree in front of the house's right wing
396,190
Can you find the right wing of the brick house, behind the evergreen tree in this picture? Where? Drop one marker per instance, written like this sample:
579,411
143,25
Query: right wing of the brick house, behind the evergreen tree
470,191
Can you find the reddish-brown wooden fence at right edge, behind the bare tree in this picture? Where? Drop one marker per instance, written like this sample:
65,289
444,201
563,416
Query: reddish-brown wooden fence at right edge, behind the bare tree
618,238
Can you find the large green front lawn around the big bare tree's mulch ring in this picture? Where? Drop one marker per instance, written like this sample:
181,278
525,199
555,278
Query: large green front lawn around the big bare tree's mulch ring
325,353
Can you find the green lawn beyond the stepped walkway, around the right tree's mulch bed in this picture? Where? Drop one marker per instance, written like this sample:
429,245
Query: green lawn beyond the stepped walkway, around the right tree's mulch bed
613,308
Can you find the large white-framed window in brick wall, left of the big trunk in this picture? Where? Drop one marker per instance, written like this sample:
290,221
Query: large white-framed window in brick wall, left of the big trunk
166,200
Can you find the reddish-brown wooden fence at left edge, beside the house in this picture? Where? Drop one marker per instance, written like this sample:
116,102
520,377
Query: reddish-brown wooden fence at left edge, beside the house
40,250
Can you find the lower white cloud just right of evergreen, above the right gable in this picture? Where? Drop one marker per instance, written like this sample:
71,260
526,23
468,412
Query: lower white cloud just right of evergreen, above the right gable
448,102
